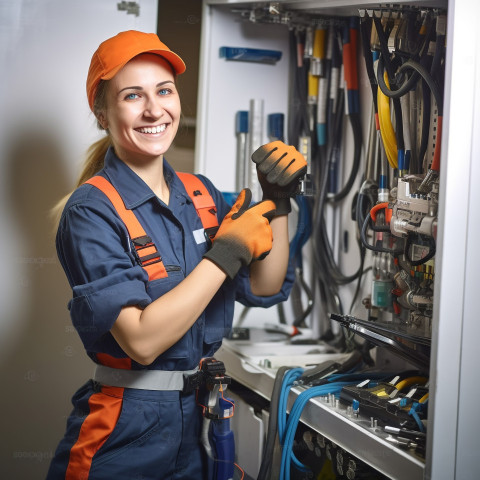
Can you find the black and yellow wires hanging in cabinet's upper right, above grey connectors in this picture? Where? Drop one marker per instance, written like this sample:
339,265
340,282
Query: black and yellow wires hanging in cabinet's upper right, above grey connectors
410,51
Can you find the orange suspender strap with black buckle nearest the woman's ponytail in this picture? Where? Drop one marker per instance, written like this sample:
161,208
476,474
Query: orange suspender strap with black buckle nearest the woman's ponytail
146,250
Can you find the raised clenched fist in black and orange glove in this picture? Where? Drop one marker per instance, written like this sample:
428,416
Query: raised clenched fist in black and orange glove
279,169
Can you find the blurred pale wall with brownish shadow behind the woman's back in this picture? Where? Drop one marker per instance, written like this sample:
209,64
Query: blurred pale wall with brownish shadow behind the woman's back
45,128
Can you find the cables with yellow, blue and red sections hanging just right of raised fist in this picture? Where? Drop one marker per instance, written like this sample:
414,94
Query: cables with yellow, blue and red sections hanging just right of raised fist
317,113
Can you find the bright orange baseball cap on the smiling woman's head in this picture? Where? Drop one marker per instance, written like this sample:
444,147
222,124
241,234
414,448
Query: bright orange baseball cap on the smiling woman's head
114,53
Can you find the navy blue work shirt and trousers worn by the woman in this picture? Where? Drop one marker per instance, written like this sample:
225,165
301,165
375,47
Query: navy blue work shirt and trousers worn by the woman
121,433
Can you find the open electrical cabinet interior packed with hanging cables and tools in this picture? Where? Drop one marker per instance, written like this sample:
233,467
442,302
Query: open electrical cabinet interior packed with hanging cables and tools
359,88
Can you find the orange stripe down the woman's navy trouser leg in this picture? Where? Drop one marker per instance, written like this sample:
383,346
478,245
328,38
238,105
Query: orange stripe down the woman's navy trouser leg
96,428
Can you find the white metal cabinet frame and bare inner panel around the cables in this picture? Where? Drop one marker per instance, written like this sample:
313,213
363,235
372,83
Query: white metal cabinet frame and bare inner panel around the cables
224,89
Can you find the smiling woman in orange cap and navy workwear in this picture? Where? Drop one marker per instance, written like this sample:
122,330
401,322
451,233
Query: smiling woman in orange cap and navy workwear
153,285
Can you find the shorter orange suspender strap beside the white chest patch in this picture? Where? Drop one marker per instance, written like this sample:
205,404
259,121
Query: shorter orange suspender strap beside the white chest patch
203,202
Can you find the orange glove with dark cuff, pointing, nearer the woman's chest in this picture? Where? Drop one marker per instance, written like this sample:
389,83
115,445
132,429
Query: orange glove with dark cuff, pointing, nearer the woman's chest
244,235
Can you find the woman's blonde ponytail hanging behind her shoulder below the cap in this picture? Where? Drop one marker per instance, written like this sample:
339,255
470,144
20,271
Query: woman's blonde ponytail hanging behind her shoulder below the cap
95,156
